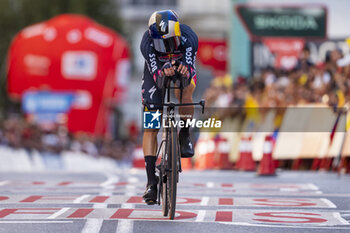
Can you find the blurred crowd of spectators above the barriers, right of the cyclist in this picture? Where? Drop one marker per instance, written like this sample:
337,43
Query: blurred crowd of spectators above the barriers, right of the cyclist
326,82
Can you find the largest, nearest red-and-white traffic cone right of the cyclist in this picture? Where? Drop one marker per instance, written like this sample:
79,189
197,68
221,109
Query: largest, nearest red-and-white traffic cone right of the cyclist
267,164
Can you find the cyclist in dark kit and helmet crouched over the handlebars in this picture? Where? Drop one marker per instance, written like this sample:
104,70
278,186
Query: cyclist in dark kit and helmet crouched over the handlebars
165,42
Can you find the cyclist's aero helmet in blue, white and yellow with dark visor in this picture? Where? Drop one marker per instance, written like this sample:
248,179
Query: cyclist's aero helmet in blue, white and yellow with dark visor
164,28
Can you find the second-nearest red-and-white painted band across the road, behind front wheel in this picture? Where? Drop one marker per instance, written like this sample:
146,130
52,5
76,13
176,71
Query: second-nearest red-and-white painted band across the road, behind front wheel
103,199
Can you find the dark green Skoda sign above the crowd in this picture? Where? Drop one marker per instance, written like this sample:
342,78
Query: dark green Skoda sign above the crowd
284,21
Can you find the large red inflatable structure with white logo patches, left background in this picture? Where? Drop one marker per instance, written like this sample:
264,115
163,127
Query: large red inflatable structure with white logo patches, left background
70,53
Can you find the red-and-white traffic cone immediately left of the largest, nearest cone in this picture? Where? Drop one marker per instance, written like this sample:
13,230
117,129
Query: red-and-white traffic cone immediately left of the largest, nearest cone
245,161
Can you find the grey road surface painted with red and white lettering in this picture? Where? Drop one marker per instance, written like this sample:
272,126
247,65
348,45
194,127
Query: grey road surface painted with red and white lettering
208,201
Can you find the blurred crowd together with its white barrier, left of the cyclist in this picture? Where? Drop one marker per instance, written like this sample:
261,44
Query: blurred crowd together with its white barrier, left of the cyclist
28,146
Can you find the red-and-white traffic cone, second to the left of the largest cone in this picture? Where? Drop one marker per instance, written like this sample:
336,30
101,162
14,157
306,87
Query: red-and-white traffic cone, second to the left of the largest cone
222,154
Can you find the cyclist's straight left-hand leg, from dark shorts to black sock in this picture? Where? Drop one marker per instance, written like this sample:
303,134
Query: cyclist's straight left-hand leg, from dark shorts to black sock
150,94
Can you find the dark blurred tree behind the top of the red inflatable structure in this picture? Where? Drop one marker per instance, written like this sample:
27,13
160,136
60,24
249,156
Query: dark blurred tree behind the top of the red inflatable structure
17,14
